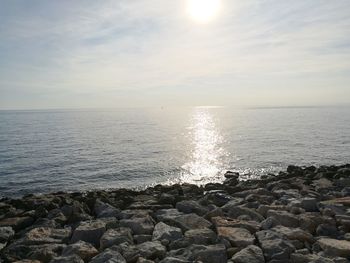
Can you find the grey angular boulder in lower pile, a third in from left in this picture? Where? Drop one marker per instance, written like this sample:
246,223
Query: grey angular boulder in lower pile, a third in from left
115,237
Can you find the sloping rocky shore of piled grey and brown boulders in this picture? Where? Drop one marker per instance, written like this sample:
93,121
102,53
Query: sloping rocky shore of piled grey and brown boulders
301,215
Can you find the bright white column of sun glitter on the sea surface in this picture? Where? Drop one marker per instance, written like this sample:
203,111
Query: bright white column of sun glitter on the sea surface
206,163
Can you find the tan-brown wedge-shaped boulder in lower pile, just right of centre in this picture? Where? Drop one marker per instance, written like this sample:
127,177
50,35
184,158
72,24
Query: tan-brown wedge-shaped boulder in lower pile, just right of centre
238,237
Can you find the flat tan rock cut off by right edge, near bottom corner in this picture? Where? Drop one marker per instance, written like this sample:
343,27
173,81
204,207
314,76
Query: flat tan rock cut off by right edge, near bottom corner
334,247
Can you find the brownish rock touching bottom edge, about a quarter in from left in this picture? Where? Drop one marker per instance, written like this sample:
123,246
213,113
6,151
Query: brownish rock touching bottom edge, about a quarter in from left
81,248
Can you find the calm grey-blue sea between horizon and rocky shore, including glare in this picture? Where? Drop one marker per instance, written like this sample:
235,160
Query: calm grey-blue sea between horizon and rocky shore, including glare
78,150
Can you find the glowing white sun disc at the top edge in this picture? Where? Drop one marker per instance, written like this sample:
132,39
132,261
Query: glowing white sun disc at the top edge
203,11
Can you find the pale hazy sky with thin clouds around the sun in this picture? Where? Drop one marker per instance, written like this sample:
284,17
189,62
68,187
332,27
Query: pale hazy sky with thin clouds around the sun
141,53
